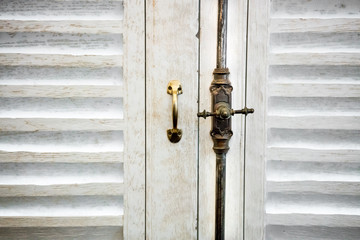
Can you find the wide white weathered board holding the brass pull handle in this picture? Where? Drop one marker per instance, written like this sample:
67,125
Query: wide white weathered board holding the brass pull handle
171,54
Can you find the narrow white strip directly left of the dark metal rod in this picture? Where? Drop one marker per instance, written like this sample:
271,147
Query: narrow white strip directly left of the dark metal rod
207,170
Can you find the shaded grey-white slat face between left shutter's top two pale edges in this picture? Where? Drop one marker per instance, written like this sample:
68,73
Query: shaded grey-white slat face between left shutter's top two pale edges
61,43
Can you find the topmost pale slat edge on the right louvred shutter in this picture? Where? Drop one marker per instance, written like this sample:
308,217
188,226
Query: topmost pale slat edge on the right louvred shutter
279,25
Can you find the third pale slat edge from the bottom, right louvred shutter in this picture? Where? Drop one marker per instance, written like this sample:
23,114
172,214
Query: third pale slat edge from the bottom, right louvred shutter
313,155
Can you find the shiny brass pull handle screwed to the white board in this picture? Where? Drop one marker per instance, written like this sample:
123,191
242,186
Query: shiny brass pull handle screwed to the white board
174,88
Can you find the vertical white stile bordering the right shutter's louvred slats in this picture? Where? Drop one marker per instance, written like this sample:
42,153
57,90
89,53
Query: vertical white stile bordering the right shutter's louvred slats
255,124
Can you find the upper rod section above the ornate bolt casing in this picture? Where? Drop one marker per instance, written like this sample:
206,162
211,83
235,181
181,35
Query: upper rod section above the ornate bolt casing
221,34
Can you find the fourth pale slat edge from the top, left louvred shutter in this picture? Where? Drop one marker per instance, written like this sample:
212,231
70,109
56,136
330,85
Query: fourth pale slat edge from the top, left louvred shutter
60,124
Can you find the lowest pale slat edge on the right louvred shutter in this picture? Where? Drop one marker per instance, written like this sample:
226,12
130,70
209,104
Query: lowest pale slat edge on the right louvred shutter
330,220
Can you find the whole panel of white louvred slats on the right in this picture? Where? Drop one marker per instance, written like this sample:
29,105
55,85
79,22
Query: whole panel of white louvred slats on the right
313,120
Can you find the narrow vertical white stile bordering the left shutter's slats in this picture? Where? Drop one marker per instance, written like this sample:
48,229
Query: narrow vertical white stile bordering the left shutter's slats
134,105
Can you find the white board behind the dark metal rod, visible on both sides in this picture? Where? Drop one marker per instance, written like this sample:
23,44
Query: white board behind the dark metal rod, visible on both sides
234,176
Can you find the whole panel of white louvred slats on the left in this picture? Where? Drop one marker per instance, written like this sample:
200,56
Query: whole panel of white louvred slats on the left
62,119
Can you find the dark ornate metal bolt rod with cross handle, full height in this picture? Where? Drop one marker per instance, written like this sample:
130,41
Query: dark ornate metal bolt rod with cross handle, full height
221,113
